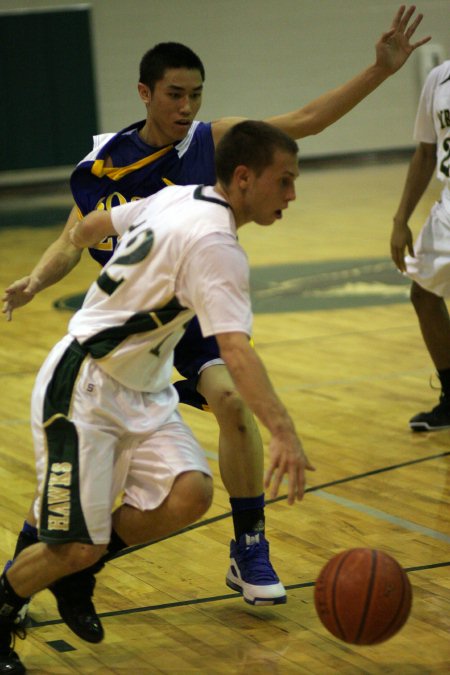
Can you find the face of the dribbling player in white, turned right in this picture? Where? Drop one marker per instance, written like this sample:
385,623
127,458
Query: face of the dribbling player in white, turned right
269,193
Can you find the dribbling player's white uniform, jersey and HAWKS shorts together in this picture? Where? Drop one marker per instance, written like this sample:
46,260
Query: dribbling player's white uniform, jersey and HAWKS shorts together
104,412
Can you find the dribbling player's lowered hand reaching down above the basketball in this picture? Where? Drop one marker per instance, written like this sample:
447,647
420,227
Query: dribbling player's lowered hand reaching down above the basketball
287,457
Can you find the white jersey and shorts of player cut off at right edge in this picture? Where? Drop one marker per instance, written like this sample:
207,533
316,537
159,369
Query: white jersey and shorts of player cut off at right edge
430,267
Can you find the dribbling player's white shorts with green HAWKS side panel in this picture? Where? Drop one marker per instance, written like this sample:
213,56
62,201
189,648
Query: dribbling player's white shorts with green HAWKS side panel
95,439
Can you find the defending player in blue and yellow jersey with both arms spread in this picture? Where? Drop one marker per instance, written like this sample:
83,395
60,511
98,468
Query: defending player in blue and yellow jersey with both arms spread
171,147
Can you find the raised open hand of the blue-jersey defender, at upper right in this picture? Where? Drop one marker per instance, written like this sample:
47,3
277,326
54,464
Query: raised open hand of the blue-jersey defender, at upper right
394,46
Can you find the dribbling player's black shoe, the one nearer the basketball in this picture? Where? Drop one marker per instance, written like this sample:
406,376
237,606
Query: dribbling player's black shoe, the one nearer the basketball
73,595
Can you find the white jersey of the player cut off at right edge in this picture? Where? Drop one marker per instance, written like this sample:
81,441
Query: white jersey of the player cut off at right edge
433,123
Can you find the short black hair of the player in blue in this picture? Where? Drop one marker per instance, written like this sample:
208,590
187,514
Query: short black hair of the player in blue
167,55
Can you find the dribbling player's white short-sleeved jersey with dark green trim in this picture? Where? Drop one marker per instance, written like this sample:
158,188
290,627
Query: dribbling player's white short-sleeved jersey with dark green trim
178,256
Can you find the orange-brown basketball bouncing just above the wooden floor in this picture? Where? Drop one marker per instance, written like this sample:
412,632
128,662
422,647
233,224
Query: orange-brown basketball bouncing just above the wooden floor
363,596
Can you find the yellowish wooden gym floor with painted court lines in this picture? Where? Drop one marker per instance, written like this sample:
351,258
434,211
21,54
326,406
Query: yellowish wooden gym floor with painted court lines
341,342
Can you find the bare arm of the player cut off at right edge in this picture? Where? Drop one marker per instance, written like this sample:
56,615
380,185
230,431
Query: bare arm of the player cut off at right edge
420,171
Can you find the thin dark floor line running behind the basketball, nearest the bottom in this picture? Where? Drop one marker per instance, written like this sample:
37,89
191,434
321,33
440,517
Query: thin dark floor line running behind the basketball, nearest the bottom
214,598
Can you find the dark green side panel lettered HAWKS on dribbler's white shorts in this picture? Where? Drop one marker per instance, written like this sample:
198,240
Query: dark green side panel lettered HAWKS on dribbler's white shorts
62,518
